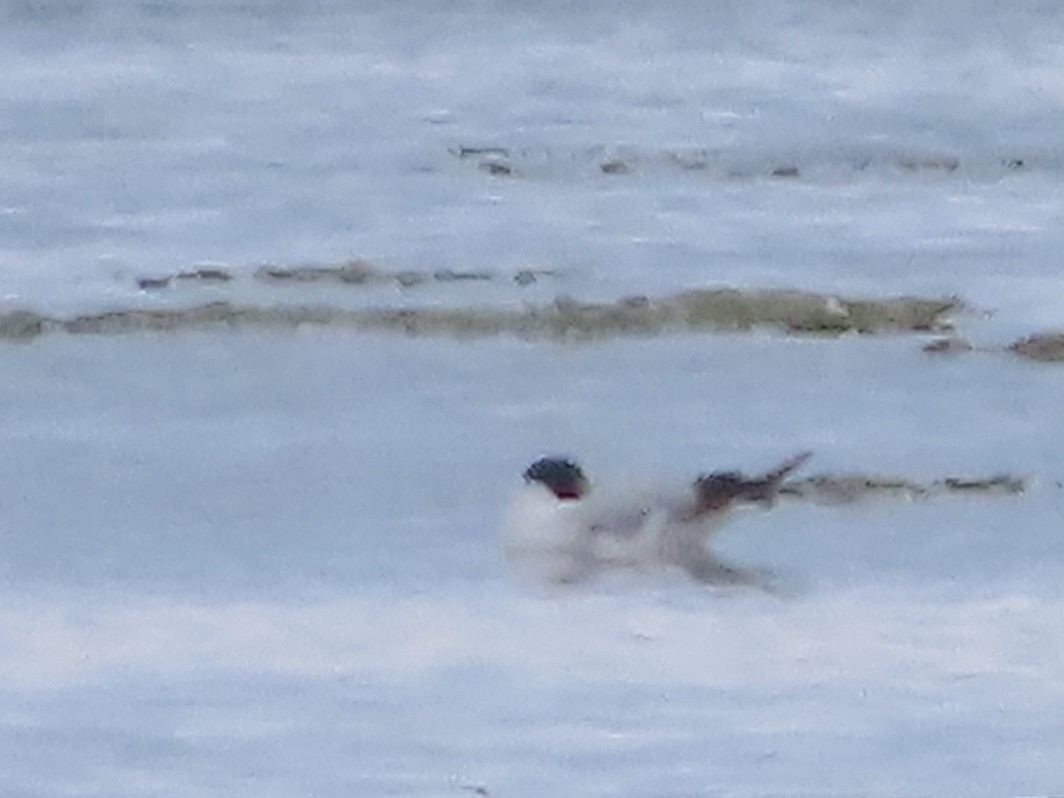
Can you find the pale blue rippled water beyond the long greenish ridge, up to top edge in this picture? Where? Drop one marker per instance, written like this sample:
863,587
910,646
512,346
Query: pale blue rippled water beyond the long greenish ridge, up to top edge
145,138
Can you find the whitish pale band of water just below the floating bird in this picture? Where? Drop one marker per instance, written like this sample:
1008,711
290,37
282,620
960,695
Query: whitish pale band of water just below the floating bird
674,639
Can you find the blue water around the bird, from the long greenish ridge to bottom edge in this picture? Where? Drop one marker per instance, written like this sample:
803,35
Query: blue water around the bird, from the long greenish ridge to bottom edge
270,563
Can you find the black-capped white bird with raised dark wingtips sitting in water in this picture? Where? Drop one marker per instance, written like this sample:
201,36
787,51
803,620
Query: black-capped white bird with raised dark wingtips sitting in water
559,531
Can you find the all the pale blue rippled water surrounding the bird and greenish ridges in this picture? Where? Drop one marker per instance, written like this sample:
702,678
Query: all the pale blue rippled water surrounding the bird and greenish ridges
269,563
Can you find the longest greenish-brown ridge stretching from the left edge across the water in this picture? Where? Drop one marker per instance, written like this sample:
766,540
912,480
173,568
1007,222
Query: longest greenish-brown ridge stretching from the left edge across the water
725,310
